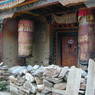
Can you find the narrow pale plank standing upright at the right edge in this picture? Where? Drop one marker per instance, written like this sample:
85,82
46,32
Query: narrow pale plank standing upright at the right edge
90,88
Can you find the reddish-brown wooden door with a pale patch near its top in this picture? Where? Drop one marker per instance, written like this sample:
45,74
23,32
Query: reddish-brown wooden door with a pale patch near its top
69,50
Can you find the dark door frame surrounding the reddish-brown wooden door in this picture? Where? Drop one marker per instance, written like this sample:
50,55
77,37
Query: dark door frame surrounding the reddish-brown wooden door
59,36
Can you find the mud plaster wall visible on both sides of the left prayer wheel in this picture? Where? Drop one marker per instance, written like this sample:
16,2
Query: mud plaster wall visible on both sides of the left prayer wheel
40,44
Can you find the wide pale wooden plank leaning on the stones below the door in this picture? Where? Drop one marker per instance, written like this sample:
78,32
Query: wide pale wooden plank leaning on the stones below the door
73,81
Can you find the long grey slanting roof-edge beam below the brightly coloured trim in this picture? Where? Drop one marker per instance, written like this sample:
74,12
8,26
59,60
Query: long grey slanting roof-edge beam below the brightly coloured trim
35,5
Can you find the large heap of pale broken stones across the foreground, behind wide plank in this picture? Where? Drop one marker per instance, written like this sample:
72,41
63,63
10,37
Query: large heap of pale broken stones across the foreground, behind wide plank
39,80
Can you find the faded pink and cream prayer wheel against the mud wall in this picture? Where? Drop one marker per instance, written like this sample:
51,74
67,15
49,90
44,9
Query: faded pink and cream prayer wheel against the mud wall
25,29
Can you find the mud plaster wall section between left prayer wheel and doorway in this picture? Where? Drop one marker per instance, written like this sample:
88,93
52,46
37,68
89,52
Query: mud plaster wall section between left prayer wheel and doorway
40,50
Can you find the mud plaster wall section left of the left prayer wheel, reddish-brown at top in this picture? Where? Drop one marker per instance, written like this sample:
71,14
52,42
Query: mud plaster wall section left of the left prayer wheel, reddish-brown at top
10,42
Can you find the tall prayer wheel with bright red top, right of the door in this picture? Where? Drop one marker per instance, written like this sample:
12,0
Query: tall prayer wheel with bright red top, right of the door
86,34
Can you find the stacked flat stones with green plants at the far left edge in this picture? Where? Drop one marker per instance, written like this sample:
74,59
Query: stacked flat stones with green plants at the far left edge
4,74
